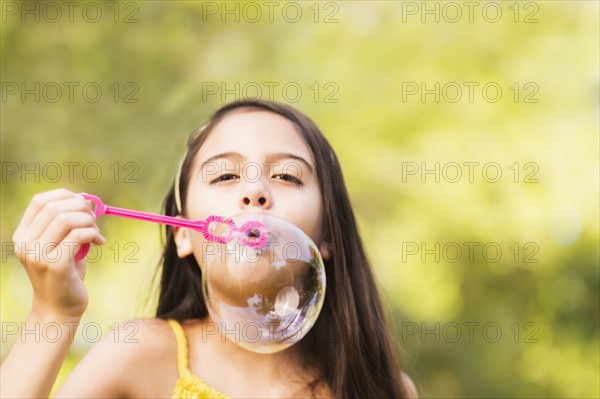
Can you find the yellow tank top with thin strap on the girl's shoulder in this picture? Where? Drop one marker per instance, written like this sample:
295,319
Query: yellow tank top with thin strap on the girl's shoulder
189,385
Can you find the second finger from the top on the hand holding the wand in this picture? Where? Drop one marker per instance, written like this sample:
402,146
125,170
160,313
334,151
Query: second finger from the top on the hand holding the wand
51,211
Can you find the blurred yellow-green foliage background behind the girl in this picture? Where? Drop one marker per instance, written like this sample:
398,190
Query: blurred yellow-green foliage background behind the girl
490,264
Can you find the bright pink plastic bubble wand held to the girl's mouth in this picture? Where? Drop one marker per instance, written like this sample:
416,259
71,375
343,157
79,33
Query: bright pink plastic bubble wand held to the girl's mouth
253,232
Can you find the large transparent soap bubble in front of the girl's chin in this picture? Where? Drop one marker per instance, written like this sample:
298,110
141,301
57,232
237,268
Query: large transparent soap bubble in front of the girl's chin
263,280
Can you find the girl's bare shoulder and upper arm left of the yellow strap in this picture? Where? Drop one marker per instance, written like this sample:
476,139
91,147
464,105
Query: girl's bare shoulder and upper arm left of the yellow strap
139,358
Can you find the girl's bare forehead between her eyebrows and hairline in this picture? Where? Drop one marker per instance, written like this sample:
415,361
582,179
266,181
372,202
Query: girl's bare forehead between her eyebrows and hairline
253,133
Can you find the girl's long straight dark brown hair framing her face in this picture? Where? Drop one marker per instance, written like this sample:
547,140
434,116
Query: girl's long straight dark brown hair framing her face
351,343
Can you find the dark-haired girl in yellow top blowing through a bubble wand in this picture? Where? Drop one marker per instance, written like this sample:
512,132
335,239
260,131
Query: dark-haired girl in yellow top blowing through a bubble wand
349,353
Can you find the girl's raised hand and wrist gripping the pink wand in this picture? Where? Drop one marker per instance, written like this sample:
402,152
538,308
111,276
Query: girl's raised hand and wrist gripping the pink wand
54,226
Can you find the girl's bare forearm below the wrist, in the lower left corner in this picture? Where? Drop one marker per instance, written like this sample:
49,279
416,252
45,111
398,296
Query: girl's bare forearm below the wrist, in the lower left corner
31,367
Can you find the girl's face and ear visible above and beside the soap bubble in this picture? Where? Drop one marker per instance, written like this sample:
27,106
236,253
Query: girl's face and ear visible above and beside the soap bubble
253,161
